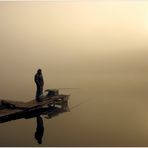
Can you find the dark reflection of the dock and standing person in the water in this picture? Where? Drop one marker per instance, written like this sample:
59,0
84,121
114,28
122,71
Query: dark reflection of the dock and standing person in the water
47,112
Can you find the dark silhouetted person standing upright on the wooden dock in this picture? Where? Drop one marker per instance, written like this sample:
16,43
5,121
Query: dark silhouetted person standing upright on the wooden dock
38,78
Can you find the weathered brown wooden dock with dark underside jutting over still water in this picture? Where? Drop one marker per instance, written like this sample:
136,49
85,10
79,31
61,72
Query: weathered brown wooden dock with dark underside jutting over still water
13,110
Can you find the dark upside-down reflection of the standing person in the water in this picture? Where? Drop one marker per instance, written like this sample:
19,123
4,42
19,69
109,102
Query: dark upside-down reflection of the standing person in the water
39,129
